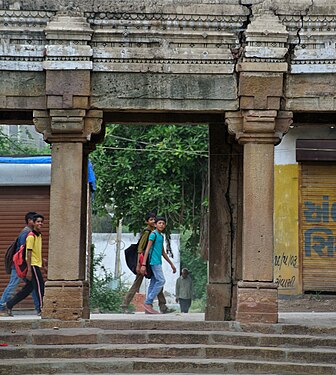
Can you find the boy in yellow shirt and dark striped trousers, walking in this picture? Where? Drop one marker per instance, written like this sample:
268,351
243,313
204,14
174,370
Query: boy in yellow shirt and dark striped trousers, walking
34,261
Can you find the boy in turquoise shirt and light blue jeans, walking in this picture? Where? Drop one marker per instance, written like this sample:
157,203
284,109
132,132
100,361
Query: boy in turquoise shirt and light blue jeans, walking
153,254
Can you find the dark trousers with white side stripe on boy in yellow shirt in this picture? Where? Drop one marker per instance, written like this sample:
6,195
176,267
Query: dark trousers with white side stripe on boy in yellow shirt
36,283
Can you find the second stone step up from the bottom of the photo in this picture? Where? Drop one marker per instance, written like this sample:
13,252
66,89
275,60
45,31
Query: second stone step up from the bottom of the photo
200,351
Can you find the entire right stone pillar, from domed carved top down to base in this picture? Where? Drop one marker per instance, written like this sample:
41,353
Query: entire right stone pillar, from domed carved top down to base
258,126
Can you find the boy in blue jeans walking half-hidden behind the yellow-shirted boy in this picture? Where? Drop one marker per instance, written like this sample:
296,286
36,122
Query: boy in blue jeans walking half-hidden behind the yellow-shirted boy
14,278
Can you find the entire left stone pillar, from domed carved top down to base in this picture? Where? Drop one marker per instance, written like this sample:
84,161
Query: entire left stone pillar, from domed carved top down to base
68,124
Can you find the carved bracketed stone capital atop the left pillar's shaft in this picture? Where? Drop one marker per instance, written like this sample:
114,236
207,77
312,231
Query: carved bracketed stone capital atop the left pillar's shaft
72,125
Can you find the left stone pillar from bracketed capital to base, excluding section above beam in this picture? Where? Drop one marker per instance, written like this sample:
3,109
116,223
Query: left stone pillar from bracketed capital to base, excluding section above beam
67,292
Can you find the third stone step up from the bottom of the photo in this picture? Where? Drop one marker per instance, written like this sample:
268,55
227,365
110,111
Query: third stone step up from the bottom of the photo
77,336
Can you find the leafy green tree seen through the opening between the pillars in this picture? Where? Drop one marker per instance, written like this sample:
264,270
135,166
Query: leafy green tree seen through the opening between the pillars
140,168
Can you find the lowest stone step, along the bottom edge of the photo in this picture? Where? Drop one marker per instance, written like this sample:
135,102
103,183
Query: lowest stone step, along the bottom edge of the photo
159,366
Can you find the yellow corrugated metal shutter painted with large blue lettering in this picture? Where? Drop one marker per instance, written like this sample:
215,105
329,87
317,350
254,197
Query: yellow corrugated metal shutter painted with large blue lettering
318,226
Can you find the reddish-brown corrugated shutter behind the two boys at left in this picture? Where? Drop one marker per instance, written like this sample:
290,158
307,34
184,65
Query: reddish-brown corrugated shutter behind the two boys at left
15,202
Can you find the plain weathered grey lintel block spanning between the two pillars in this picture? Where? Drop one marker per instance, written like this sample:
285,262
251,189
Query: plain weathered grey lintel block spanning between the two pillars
175,91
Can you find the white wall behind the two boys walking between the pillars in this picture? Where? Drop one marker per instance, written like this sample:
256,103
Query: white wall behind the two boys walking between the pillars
106,244
